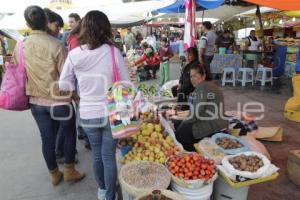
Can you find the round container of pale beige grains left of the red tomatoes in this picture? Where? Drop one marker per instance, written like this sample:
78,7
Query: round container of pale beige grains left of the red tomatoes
143,177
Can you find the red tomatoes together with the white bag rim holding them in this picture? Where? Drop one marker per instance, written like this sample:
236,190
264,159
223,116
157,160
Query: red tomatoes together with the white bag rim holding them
191,170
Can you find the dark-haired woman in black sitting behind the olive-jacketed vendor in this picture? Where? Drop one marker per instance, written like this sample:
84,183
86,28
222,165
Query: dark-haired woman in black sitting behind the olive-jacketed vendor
185,86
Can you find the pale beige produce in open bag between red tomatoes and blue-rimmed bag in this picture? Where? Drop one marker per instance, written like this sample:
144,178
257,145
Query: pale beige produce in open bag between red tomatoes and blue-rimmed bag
210,150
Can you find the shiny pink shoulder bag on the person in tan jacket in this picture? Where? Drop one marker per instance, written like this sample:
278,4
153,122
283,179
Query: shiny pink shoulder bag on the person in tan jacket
12,93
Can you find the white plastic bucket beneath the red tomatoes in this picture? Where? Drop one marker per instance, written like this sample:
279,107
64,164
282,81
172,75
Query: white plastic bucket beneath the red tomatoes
203,193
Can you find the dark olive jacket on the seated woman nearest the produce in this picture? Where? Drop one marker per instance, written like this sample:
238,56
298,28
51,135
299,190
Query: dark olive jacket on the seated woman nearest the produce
207,92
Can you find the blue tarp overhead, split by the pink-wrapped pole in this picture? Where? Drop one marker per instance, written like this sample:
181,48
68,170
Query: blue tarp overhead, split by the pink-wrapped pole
178,6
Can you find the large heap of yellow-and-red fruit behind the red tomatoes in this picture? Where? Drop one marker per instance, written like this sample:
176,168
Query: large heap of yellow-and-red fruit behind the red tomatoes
151,145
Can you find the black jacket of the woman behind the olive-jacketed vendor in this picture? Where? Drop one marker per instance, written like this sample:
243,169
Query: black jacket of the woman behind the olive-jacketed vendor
185,82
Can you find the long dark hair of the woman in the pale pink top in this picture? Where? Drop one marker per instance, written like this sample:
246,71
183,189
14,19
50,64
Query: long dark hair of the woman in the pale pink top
95,30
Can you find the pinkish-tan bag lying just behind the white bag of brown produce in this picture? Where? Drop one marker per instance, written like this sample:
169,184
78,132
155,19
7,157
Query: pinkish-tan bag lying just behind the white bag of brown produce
256,145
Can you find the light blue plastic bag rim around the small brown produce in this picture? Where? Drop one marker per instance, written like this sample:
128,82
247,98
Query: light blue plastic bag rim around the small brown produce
217,136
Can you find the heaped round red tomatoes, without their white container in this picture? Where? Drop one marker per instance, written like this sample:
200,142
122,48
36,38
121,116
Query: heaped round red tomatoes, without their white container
191,167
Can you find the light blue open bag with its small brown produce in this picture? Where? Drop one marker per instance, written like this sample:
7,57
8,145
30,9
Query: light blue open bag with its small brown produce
229,144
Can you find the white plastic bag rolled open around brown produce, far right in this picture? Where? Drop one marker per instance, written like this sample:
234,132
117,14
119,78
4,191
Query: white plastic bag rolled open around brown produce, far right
237,175
